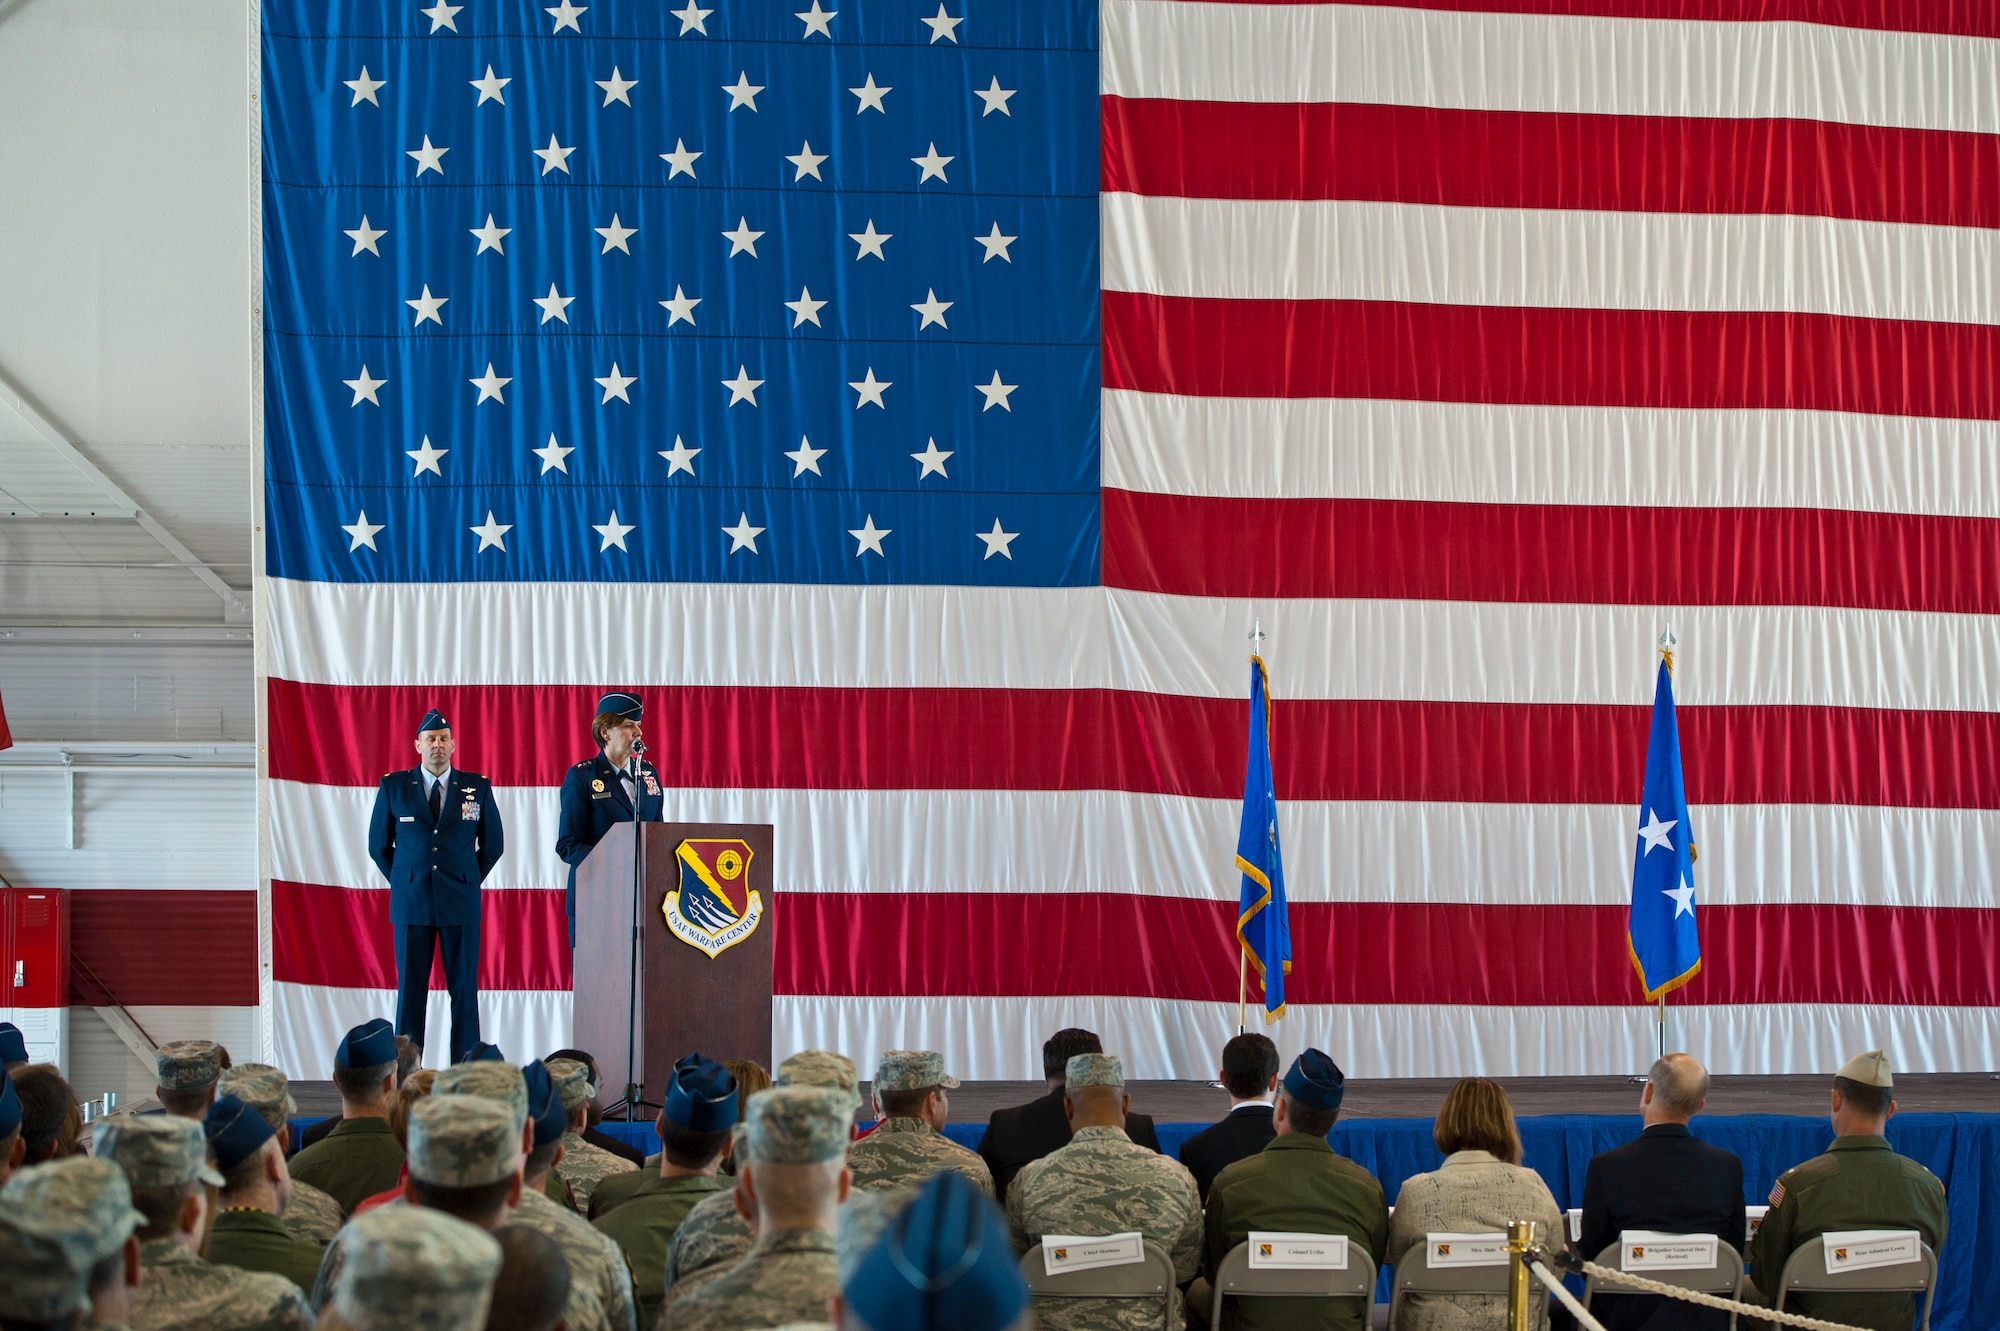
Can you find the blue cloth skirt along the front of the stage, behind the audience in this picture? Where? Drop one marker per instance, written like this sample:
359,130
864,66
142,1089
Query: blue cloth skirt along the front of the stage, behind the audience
1959,1148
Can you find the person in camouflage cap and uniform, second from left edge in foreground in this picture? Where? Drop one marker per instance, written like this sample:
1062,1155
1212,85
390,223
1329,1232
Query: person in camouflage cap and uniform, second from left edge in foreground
165,1160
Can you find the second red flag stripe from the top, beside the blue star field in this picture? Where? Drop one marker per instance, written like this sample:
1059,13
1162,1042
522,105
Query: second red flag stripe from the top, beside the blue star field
1485,159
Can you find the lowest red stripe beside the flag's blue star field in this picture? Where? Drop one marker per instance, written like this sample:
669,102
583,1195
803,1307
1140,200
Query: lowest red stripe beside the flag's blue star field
1545,553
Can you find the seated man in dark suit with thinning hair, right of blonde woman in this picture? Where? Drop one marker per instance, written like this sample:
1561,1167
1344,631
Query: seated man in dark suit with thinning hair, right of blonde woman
1667,1182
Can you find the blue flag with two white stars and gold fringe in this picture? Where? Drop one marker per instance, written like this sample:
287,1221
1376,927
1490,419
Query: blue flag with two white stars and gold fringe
1661,928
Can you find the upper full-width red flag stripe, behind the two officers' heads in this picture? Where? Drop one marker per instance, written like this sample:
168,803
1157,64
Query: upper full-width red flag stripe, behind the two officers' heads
1157,744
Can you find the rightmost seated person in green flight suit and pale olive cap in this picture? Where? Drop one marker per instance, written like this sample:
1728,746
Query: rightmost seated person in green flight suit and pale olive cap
1857,1184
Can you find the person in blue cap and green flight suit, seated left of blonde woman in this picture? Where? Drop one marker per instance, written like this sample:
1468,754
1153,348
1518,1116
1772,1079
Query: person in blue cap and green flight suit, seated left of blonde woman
1295,1186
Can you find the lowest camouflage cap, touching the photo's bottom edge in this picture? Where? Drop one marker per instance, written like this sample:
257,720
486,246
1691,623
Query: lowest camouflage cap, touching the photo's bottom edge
415,1268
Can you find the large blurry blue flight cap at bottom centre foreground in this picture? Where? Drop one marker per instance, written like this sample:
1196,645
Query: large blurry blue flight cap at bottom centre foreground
945,1264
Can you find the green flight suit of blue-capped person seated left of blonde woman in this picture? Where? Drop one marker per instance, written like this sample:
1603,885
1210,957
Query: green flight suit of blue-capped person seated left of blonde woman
1295,1186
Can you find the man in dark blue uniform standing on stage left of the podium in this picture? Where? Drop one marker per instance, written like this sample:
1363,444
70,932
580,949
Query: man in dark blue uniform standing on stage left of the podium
437,836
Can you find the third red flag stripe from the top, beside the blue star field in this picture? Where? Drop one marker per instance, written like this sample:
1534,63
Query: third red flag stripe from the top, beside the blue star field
1639,359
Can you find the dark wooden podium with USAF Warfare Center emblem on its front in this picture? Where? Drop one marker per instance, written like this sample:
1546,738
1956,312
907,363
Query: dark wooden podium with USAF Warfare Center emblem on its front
669,994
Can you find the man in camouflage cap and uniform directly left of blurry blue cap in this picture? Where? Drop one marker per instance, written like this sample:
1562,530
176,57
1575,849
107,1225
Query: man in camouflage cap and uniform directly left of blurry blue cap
793,1180
